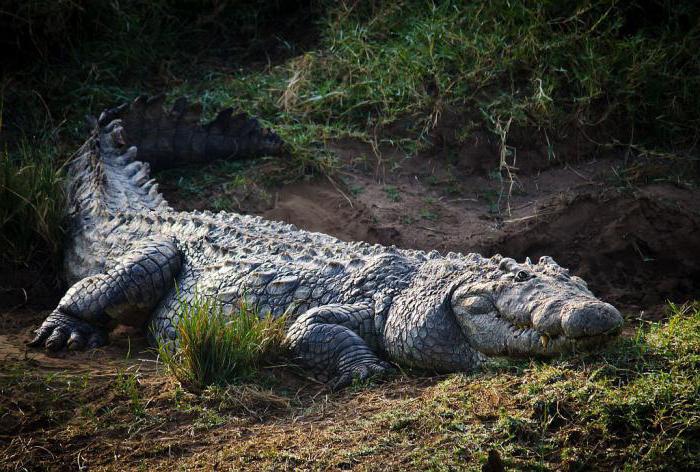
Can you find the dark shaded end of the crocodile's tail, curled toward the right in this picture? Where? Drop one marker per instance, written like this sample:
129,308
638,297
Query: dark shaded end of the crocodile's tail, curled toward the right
167,139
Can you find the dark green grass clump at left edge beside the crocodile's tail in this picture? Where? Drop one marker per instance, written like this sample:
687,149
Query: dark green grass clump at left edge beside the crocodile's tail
31,203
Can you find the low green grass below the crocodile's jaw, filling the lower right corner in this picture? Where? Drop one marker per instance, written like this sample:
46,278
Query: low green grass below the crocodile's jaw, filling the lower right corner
633,406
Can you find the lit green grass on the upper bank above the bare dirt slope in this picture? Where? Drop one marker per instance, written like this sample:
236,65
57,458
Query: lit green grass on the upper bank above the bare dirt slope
550,70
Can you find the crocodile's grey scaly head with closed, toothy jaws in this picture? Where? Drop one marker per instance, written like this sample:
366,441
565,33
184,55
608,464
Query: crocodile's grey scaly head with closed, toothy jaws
531,310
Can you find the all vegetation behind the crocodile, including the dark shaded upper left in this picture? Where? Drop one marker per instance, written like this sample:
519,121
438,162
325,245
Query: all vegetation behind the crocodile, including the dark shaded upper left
607,73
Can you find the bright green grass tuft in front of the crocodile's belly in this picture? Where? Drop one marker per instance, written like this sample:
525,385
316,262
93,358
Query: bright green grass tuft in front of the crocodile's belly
215,348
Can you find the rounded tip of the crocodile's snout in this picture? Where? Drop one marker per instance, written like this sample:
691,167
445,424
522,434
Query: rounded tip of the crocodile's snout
581,319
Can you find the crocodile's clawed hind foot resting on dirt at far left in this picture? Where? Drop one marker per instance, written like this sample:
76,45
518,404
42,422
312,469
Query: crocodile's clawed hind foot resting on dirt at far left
60,330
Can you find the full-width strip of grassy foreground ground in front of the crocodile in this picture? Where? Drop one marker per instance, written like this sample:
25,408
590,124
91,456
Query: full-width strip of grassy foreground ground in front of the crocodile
632,406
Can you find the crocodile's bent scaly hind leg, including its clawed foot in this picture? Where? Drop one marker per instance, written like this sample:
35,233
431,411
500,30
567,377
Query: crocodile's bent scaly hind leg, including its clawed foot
124,294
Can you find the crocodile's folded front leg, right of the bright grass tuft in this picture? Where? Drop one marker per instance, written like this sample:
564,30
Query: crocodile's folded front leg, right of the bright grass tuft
333,341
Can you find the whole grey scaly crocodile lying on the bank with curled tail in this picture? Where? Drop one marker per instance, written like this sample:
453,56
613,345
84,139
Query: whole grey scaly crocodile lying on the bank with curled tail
353,310
